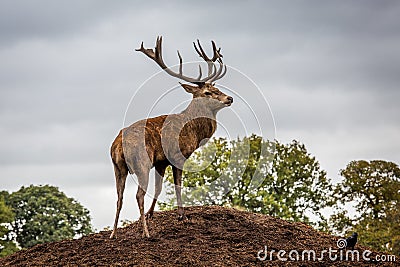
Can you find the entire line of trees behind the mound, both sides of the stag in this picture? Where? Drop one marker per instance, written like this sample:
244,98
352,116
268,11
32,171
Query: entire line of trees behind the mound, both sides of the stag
250,173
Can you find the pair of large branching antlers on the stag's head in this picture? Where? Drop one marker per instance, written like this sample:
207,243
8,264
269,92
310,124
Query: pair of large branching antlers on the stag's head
213,73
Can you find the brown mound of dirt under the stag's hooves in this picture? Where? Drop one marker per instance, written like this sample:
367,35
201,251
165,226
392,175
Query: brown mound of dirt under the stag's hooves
211,236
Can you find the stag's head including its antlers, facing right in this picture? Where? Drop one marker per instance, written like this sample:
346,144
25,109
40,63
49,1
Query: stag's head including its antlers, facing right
203,89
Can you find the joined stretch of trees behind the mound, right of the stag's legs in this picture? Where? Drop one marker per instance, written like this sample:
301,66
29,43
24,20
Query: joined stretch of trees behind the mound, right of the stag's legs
286,181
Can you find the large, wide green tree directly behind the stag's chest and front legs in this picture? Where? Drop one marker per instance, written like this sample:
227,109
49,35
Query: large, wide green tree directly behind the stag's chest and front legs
282,180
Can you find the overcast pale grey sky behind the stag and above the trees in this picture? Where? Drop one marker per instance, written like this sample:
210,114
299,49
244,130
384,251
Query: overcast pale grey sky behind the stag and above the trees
330,71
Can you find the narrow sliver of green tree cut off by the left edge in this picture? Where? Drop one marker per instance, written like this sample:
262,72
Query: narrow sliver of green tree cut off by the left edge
6,218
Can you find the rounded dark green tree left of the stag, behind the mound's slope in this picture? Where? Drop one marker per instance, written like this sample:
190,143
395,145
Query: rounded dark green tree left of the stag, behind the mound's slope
45,214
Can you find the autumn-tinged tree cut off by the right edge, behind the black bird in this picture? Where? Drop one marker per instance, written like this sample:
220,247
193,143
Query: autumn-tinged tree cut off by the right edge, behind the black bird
374,189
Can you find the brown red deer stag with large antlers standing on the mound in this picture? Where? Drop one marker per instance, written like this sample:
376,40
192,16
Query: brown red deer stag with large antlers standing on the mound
169,139
